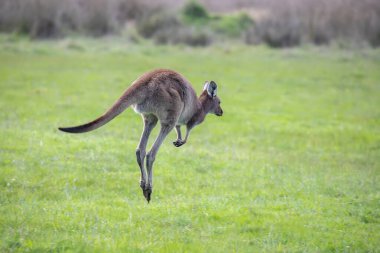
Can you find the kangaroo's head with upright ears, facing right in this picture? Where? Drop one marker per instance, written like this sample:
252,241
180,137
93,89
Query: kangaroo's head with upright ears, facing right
210,101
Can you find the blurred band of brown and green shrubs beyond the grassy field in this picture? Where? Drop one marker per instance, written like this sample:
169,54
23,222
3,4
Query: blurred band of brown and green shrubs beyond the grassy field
276,23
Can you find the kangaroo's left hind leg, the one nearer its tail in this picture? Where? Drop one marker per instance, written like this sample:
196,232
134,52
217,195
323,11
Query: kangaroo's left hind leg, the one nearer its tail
150,122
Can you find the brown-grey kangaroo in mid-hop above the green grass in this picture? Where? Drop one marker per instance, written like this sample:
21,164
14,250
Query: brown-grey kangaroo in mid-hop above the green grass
165,96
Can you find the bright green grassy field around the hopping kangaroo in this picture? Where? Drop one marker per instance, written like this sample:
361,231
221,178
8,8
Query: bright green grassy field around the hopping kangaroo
292,166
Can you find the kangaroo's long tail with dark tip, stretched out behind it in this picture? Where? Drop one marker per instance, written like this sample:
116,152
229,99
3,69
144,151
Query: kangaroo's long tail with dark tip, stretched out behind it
120,105
